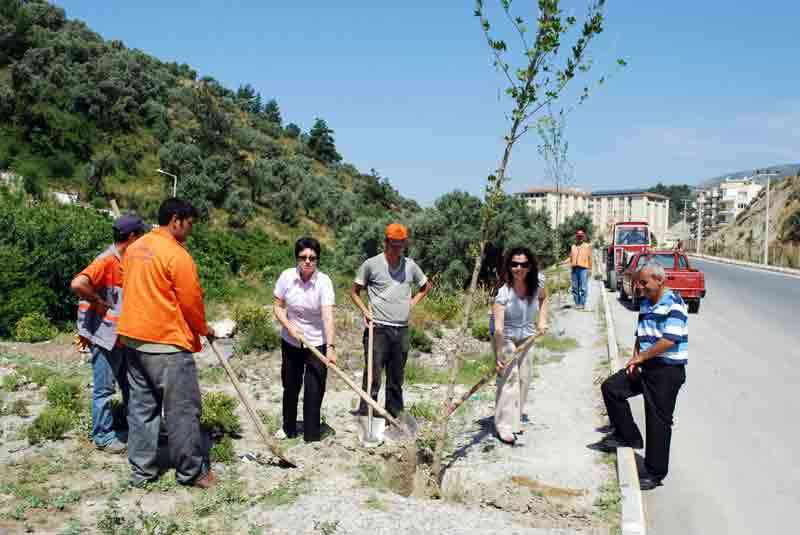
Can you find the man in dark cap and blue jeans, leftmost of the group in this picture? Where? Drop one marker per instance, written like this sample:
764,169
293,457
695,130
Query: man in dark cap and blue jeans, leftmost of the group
99,287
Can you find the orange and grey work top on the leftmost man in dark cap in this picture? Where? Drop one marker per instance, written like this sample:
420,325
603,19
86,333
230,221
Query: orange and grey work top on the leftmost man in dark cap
105,275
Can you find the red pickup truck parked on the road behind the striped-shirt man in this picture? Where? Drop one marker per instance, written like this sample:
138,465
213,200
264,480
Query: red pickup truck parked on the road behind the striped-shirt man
681,277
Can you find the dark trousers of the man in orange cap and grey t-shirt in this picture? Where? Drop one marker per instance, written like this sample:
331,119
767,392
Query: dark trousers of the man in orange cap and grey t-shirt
390,351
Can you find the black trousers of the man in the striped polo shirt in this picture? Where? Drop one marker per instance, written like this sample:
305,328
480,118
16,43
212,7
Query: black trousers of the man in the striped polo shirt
659,384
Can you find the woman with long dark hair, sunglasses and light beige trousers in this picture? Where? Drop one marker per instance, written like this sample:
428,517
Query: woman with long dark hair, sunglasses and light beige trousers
515,307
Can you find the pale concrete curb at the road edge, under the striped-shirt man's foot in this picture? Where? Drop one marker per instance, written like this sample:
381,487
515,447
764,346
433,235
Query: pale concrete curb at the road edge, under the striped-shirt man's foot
632,520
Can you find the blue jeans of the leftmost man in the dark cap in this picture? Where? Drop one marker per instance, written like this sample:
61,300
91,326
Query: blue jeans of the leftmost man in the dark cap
108,368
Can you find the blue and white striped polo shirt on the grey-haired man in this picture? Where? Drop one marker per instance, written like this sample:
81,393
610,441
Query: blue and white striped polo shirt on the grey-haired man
666,319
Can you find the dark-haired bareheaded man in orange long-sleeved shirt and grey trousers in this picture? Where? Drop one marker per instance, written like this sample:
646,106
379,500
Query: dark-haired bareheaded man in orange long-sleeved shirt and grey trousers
163,317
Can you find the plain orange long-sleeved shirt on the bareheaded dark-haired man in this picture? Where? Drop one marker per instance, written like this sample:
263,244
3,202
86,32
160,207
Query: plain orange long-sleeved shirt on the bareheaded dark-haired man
163,298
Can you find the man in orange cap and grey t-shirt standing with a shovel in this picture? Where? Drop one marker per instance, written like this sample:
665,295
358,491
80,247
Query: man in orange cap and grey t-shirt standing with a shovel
388,278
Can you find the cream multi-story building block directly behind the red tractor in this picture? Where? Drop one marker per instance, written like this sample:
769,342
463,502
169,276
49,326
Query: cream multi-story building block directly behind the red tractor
607,207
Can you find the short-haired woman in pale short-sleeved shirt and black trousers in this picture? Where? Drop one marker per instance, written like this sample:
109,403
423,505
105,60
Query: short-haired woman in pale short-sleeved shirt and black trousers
304,301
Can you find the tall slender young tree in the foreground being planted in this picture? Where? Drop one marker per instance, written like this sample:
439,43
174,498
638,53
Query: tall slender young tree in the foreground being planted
537,82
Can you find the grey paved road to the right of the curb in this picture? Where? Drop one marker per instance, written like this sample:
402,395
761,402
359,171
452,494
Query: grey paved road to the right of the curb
735,462
